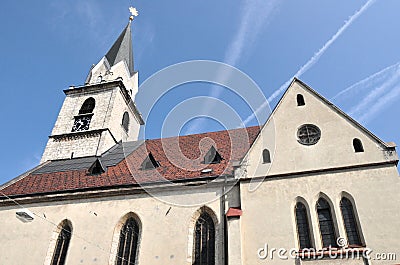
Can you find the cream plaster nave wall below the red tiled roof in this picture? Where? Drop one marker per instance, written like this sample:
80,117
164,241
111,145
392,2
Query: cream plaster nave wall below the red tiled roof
164,235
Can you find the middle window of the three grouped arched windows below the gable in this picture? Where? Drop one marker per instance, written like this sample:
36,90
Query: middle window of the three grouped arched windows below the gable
326,225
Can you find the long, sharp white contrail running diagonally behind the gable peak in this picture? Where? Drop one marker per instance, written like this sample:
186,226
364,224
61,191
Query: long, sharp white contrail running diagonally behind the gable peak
315,57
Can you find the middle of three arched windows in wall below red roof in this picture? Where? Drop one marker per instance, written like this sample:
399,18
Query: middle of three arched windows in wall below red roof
128,243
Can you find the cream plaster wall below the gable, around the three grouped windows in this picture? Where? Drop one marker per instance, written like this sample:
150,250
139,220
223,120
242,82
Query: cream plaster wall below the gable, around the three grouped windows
268,211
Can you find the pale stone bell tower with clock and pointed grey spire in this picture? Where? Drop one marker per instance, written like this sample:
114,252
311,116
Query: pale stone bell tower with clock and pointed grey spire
102,112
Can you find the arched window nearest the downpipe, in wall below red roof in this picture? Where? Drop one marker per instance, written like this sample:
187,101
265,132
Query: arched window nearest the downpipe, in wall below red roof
204,241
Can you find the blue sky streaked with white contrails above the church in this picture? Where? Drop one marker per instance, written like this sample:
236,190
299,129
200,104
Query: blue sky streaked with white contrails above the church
346,50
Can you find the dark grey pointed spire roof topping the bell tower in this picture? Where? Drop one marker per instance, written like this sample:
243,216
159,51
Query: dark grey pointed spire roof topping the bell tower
122,49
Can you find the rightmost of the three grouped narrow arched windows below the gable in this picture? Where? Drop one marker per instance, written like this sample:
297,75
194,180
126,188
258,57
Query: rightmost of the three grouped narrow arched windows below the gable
350,224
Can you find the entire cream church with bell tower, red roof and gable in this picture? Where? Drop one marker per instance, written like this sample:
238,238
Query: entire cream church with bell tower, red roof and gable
310,186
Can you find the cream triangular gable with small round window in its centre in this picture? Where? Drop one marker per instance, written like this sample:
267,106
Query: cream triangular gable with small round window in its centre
279,135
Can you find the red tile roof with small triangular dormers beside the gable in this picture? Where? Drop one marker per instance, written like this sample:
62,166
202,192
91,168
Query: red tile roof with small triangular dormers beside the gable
180,158
